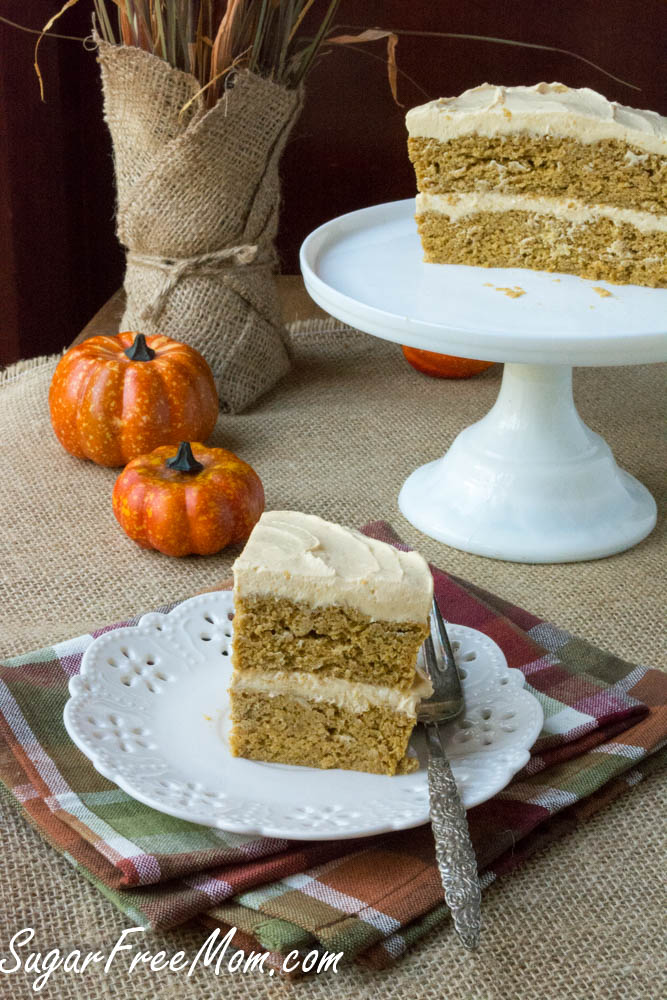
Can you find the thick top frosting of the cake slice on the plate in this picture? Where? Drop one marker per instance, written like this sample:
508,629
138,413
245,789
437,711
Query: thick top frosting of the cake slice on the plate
304,558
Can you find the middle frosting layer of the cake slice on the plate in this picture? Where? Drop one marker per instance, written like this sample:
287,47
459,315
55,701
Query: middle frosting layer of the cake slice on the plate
348,695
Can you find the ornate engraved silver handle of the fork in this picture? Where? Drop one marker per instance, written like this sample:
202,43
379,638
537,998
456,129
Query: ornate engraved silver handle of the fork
453,849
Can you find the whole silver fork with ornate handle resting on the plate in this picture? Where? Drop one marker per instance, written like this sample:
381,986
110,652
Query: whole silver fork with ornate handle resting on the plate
453,850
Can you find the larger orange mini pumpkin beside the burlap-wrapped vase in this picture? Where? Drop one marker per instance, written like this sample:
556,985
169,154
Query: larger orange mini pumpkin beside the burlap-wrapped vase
113,398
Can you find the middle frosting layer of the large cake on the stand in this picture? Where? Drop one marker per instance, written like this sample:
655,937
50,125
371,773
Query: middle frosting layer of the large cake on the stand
458,206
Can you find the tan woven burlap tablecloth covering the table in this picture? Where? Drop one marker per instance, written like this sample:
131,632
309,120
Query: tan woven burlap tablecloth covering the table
337,437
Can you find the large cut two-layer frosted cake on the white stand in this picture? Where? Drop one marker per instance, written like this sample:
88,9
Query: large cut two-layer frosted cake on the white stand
544,177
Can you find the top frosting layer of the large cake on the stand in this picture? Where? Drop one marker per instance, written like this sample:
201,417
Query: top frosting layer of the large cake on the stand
546,108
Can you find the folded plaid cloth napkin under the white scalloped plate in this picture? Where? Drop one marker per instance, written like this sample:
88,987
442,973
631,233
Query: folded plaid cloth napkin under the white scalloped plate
370,898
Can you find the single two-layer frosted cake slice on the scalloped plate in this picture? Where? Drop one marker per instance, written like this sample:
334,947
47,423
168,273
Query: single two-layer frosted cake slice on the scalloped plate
327,627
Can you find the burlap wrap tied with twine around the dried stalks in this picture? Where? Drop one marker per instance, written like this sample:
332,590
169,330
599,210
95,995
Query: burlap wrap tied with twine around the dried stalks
197,212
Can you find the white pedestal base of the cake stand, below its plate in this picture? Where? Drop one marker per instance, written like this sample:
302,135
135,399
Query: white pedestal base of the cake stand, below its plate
530,482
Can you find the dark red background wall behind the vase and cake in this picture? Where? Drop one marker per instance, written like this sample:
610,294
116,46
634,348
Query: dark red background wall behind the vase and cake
59,258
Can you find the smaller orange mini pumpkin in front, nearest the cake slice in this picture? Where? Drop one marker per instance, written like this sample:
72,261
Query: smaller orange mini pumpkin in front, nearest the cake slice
194,501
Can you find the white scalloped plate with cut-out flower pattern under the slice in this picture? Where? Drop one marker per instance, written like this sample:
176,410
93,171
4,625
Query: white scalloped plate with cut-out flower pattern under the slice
150,710
